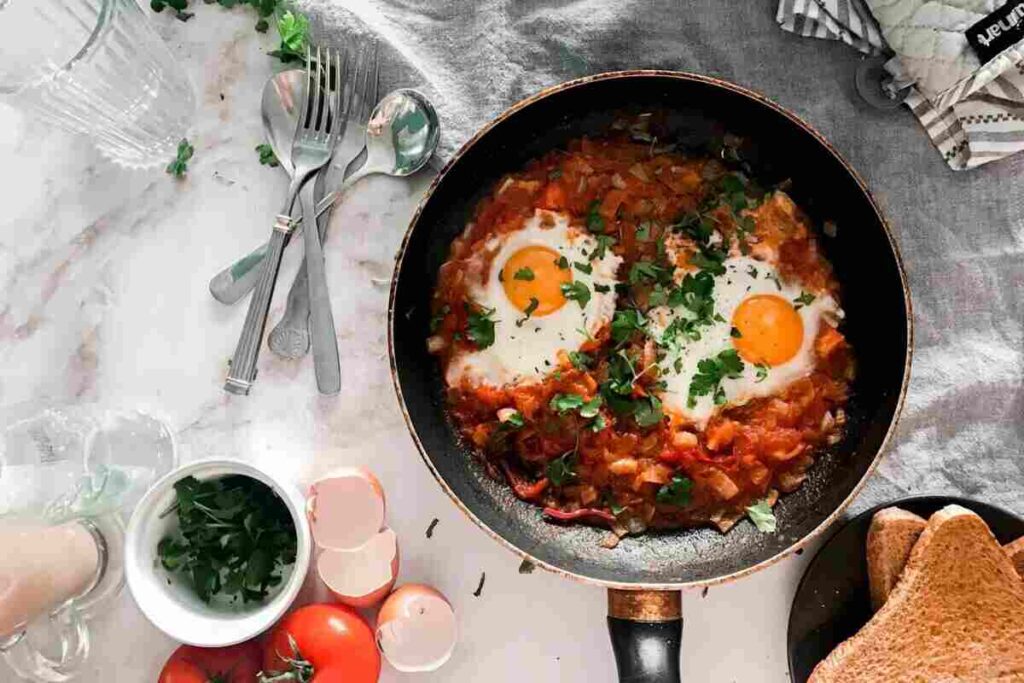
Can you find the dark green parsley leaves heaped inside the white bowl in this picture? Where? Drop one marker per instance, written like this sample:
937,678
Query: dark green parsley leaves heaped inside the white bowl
235,535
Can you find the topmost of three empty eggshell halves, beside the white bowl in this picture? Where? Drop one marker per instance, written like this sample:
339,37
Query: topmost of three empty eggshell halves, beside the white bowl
346,509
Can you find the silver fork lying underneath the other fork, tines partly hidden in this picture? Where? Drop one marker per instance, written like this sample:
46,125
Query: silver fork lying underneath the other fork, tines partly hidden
290,338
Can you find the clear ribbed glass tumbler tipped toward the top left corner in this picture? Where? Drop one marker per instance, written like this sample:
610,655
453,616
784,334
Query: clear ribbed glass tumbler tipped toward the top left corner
97,67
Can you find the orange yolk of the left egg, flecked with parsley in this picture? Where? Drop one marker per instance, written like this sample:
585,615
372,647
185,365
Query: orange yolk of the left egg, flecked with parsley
534,274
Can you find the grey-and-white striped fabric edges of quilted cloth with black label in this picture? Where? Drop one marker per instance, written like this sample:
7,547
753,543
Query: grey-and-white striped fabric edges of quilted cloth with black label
986,125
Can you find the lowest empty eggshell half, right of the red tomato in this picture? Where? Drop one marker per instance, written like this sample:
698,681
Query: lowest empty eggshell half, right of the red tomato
416,629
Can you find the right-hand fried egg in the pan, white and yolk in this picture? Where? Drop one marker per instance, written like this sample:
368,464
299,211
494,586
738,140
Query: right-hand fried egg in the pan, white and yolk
771,325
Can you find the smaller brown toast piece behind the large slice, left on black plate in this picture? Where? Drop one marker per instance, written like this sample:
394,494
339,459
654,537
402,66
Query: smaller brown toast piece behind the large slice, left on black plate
890,539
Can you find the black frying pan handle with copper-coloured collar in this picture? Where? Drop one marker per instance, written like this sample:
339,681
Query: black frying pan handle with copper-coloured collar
647,629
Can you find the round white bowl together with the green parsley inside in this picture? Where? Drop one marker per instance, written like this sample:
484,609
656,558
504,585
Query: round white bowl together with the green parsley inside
218,551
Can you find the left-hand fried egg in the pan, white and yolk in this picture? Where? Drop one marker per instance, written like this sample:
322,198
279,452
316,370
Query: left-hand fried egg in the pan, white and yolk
549,290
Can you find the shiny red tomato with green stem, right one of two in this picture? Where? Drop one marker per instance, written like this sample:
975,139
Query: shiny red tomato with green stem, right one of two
333,639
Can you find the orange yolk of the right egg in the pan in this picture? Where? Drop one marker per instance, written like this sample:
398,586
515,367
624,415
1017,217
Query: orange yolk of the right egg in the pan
771,330
